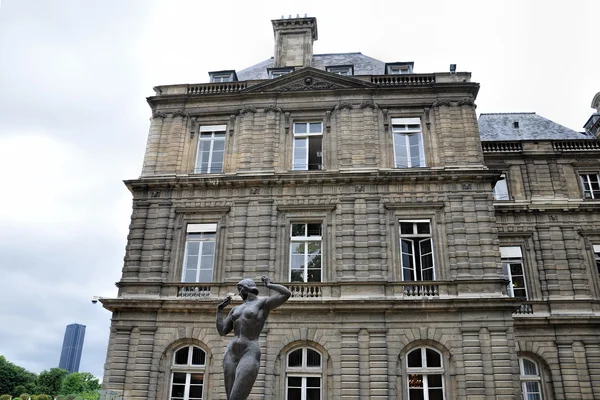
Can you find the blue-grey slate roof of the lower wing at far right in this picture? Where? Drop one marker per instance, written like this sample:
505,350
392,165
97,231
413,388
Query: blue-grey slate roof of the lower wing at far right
501,127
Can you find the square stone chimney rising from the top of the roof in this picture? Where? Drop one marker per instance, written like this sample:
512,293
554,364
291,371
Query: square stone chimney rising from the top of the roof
294,39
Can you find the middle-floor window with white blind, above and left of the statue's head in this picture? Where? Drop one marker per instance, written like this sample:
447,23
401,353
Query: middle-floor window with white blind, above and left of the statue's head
199,260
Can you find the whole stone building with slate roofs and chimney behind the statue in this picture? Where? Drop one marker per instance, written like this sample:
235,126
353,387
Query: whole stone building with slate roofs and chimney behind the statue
430,256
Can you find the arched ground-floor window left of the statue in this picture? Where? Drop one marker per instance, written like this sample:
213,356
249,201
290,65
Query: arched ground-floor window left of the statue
187,374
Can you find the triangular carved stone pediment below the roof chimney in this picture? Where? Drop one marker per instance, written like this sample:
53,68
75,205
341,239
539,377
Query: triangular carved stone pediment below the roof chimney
309,78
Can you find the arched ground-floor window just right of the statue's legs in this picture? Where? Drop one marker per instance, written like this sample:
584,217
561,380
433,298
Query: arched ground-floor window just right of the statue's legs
303,374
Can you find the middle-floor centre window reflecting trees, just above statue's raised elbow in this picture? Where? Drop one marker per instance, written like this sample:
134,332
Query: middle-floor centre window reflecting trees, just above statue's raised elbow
305,252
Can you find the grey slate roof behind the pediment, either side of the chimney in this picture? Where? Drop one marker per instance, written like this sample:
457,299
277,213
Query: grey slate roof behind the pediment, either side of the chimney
363,65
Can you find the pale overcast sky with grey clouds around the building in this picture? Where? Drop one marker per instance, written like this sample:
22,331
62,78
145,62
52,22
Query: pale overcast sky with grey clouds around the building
74,75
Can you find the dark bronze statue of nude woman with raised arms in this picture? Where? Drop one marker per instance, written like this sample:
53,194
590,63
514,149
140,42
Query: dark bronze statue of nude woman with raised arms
242,356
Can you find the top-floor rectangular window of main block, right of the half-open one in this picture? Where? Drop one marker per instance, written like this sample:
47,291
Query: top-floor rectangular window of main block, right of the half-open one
408,143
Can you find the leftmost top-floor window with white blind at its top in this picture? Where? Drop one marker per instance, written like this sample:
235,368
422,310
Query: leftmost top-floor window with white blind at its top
211,149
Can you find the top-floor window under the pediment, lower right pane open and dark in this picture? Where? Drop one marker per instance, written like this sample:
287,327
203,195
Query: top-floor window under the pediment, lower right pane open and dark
308,146
